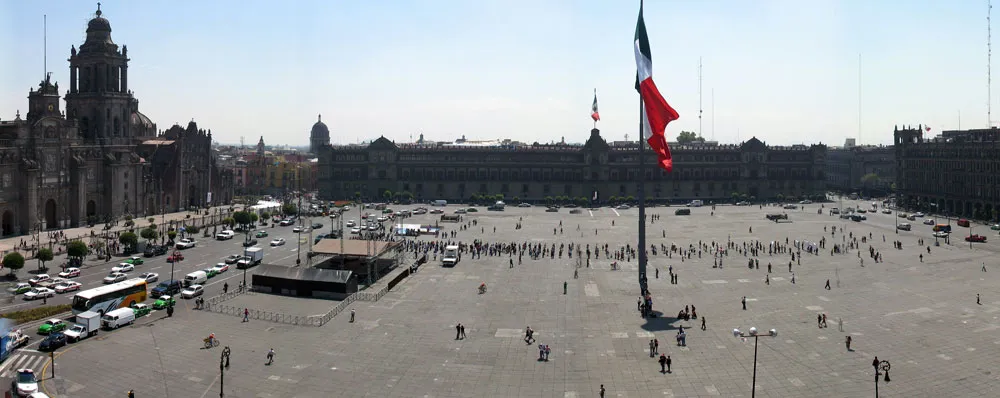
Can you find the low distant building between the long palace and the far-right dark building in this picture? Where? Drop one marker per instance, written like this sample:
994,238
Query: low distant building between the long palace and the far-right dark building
871,169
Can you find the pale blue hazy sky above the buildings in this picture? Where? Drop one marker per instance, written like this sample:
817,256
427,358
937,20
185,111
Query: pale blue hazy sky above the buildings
784,71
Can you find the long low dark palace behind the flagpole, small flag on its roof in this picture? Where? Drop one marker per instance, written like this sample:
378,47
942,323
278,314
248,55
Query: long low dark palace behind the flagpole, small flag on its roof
536,172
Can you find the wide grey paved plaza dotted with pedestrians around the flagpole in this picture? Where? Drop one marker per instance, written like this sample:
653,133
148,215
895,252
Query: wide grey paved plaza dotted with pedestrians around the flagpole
920,316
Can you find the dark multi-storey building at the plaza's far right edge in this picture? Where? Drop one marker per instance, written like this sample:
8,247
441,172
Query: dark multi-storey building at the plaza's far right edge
956,173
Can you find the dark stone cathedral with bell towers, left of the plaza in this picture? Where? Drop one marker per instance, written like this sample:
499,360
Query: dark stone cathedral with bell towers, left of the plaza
101,159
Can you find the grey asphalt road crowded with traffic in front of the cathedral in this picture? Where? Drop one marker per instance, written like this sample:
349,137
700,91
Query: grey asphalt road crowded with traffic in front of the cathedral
207,253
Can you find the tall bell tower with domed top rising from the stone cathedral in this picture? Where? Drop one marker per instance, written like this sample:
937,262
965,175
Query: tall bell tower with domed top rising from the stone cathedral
98,95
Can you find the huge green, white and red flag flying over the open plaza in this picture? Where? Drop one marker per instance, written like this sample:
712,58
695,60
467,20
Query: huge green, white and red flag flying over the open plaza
657,112
